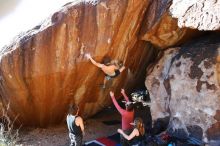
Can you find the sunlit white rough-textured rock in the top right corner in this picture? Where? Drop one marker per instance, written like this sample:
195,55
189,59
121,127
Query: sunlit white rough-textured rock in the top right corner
197,14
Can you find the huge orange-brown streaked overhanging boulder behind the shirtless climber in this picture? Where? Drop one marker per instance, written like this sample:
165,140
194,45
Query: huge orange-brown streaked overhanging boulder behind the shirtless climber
45,68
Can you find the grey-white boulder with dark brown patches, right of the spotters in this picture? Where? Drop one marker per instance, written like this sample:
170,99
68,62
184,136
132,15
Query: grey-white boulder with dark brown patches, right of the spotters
185,83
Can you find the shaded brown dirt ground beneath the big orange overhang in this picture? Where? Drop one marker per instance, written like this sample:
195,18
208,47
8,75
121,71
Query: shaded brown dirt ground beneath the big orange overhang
58,135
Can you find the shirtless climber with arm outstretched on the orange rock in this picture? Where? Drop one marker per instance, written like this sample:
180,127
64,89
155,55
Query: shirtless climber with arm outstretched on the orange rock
111,69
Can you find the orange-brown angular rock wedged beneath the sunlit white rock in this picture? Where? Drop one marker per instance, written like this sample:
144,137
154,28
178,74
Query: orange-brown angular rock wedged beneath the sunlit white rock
159,28
